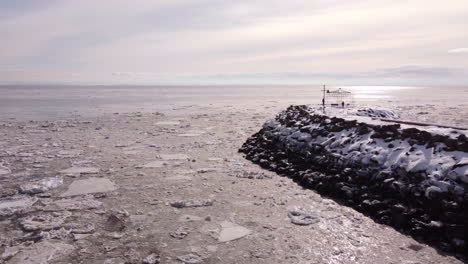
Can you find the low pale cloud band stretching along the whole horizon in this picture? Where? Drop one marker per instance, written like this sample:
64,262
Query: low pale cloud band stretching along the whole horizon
402,75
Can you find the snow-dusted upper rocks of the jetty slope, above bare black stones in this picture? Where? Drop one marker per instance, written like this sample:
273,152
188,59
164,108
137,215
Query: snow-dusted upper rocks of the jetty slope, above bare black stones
389,146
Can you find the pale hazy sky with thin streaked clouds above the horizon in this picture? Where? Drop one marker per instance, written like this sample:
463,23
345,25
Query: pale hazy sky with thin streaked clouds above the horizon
197,42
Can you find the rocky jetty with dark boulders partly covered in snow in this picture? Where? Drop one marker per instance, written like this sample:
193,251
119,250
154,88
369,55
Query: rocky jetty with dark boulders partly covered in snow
412,178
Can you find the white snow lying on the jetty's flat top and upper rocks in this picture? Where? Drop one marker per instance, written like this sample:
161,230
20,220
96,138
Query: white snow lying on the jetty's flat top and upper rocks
438,164
